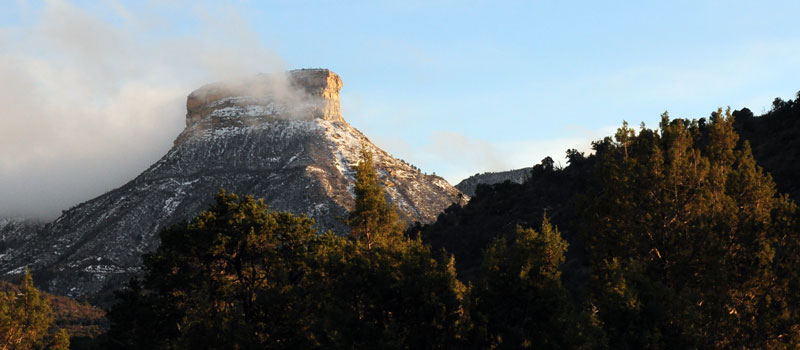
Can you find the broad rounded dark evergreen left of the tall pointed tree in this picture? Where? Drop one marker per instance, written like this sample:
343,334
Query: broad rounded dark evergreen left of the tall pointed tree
226,280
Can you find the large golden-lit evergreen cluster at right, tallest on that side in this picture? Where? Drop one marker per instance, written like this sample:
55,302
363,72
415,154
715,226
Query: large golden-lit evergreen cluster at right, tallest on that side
681,239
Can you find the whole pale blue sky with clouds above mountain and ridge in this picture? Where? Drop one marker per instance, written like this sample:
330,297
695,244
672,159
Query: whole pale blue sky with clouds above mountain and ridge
454,87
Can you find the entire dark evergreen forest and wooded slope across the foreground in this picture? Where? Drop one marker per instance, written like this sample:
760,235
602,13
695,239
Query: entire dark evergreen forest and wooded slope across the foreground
671,238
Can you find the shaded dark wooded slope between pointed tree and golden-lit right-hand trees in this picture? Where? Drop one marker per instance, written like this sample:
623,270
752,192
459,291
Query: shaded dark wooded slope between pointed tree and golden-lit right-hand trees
497,210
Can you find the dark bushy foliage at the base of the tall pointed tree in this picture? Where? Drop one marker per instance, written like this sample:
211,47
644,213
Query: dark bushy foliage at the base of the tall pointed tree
387,297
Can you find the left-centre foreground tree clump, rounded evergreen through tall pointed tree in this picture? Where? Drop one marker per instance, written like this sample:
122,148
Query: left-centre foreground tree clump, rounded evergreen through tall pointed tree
241,276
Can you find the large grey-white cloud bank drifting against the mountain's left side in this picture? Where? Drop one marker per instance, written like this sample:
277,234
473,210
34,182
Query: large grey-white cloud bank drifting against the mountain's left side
89,101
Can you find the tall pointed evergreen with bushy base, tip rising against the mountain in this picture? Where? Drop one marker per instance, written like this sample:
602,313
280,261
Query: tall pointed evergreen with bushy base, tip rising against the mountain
380,289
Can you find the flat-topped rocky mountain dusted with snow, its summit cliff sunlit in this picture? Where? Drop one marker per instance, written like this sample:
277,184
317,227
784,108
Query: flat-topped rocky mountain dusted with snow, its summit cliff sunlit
278,137
